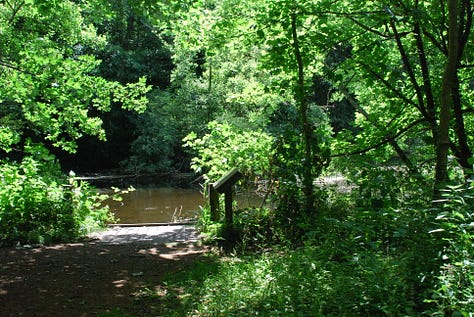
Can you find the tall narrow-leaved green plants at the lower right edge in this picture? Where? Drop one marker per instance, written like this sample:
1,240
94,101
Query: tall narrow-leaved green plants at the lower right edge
453,294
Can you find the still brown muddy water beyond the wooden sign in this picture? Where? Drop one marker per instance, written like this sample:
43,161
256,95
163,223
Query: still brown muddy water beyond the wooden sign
165,204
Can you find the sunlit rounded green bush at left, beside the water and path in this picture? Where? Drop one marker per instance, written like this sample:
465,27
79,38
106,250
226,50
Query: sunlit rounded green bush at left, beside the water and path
40,205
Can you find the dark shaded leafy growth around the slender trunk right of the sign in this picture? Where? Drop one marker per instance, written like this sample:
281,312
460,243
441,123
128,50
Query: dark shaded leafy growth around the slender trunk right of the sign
288,167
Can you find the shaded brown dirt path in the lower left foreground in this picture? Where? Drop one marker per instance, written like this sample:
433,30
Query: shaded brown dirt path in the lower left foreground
86,279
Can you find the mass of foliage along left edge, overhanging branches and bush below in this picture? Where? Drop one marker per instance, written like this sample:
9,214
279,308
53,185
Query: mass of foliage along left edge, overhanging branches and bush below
50,96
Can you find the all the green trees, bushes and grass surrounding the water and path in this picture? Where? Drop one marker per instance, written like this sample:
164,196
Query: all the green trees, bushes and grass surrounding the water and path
289,92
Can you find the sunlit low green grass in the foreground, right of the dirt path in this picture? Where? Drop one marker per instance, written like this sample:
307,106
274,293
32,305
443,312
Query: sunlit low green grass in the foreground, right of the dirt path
281,283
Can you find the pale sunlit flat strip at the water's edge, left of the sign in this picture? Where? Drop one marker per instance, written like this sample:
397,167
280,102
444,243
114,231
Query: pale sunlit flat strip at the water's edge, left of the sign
148,234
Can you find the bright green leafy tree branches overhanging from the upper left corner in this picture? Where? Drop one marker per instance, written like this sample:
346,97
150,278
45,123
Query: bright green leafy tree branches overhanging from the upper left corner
48,86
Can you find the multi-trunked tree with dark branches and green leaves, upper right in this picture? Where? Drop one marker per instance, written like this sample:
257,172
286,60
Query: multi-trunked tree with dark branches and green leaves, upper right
408,69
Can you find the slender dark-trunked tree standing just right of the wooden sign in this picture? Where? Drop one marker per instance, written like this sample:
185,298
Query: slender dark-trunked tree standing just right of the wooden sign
288,25
